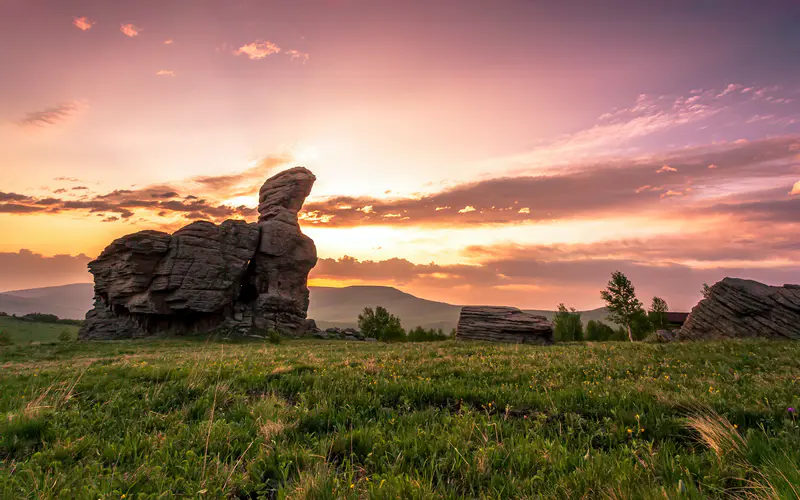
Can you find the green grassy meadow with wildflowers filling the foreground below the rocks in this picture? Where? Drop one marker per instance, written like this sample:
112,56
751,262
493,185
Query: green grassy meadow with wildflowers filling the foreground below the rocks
303,419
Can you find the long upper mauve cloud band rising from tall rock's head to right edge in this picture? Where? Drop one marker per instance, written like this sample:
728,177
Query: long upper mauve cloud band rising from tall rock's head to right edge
614,188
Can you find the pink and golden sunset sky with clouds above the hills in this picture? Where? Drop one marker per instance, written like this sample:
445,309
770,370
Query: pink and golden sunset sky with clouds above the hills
513,152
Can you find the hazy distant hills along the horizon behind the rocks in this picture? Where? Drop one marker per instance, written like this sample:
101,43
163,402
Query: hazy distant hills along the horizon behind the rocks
329,306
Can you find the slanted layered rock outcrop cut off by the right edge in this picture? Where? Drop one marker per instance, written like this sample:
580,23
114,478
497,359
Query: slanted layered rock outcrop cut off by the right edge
738,308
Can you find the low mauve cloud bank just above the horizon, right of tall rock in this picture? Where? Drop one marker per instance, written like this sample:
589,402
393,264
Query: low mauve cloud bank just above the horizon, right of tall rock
541,276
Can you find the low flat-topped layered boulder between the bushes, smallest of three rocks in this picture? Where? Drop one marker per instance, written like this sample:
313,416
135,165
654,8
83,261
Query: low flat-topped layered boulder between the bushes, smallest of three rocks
503,324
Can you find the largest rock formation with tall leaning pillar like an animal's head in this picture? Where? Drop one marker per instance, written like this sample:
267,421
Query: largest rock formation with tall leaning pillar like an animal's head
238,276
